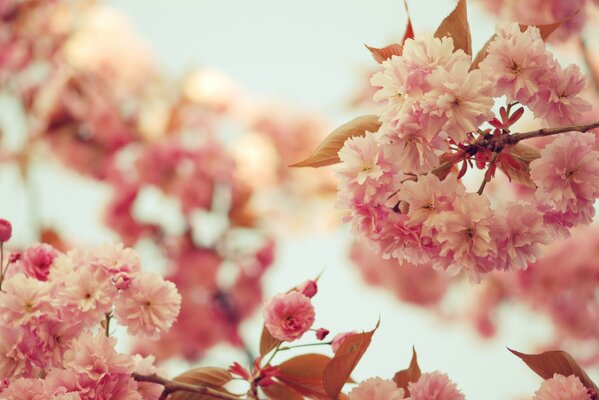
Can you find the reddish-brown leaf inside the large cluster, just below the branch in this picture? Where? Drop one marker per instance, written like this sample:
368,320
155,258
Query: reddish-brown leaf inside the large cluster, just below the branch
515,163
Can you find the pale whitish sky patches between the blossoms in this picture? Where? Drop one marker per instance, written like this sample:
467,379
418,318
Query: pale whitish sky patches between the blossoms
309,54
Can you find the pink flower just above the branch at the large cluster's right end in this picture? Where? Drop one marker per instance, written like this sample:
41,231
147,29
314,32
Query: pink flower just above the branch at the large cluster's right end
558,102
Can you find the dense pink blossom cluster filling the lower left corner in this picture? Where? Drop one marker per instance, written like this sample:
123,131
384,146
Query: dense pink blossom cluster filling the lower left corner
55,314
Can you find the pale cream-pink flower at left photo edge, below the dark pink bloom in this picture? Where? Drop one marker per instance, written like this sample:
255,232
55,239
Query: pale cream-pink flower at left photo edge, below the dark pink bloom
24,299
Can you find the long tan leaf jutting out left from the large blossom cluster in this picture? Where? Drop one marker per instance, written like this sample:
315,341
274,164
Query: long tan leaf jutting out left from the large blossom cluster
326,153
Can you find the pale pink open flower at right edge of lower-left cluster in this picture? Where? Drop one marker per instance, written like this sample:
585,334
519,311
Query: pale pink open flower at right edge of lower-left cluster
149,306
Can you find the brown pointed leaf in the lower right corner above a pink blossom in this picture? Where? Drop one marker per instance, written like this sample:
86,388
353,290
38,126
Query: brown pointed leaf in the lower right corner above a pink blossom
555,362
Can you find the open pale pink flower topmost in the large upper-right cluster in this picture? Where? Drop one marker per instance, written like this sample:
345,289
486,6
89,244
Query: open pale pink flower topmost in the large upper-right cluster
517,63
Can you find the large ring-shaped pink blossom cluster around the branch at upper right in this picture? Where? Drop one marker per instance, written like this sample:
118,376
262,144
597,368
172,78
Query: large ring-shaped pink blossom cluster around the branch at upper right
398,183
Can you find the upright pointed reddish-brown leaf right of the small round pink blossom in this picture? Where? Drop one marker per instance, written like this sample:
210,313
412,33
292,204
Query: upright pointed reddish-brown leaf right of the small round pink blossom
346,358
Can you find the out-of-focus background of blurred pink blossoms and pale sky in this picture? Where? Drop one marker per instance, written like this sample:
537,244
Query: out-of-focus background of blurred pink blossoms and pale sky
169,125
